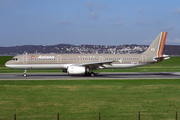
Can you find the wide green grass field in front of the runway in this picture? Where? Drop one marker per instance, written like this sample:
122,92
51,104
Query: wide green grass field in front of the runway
85,99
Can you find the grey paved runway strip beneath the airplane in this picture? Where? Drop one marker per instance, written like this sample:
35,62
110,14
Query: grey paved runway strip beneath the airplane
106,76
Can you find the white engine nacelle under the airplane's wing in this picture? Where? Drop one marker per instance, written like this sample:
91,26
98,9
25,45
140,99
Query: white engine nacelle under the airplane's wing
77,70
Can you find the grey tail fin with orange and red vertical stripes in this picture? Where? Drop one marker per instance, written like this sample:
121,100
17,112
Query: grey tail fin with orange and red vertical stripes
157,46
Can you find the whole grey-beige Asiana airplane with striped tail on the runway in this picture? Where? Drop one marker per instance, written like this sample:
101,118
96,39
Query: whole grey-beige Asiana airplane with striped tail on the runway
86,63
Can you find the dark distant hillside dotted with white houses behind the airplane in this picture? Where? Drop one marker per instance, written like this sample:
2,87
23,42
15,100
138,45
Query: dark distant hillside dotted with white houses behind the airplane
80,49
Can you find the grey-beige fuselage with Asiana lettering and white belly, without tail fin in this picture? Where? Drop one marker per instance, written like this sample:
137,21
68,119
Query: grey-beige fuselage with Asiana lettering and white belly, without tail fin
62,61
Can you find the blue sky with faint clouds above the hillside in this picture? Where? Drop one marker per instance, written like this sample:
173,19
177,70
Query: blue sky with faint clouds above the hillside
101,22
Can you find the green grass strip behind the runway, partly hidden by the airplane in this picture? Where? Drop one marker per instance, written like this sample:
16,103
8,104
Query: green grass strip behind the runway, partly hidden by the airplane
170,65
